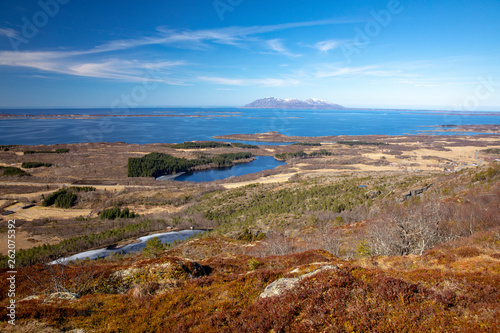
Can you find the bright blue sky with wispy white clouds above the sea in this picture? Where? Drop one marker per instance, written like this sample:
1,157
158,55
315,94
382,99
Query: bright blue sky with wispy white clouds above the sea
392,54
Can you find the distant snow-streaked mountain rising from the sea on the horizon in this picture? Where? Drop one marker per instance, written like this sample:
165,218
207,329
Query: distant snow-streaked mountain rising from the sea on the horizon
292,103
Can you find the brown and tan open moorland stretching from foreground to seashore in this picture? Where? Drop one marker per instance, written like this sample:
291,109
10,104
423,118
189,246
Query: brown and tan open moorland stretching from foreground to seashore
353,234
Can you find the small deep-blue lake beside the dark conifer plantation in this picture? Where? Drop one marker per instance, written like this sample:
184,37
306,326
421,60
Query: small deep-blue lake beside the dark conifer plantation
261,163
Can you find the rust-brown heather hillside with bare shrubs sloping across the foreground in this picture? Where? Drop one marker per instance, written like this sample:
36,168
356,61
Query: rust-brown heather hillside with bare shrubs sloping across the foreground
427,264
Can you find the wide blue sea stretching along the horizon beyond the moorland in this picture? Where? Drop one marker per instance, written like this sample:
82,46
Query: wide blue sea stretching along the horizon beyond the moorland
218,121
